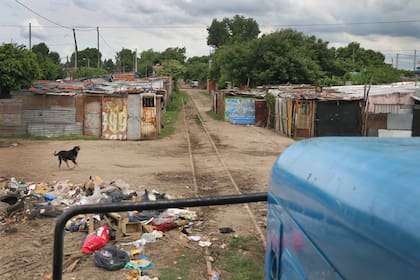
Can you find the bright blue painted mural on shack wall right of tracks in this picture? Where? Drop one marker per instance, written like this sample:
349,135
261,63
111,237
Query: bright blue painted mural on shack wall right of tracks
240,110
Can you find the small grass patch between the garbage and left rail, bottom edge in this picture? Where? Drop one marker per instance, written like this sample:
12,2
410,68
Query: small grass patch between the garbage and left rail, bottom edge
184,265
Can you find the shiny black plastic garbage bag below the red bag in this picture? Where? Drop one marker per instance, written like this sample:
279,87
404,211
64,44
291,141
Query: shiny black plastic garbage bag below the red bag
110,258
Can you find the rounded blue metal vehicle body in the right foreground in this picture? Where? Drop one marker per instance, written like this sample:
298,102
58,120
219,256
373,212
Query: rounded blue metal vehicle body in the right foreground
345,208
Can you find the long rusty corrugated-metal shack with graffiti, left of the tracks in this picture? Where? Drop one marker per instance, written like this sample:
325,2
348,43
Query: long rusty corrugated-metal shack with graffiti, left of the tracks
124,110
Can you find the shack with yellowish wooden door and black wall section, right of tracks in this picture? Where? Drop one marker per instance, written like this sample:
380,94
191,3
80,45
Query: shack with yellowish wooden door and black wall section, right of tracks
304,111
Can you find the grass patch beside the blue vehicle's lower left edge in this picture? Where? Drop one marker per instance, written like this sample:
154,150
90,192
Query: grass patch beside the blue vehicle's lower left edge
243,259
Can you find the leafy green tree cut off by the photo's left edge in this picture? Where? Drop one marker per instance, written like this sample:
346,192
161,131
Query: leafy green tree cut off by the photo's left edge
18,68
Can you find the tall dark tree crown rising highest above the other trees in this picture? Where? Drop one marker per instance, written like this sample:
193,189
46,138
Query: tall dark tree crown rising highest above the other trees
237,29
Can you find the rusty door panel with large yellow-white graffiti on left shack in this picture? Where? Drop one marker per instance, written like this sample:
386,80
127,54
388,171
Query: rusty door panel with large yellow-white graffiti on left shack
114,118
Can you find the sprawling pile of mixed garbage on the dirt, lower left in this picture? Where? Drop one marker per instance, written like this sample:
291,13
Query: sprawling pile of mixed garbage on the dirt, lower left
115,240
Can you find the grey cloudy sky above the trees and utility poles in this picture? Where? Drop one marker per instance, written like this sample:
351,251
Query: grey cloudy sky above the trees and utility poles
389,26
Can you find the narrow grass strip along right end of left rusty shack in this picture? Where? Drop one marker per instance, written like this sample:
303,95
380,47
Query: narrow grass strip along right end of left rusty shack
173,107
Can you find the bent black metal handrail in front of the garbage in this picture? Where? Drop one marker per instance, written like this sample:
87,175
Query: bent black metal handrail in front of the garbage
139,206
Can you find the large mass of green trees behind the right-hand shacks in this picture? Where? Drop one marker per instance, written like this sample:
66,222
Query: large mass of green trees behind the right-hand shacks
289,56
